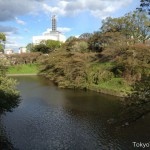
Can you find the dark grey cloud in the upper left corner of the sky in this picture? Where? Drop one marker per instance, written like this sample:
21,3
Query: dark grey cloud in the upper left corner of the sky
9,9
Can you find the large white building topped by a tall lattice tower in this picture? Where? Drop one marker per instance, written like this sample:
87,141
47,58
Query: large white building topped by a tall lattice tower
50,34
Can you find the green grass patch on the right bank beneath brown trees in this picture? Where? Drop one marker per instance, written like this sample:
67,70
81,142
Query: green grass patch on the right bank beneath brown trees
114,85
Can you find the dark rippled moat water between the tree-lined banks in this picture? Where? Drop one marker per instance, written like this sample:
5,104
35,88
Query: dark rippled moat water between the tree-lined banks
51,118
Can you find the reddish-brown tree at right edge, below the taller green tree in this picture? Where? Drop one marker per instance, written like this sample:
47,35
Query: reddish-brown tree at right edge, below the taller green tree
135,61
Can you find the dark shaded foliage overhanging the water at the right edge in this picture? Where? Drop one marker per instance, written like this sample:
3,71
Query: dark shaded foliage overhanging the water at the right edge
137,103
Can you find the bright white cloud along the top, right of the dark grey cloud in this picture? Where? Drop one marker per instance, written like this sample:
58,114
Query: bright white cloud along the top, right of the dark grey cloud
98,8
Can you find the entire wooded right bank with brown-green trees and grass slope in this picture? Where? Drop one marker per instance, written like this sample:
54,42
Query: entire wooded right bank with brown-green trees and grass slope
109,60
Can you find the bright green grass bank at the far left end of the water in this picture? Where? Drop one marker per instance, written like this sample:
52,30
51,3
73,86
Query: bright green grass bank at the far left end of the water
23,69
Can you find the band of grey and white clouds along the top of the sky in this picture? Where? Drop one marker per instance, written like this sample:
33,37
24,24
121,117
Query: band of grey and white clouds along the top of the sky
98,8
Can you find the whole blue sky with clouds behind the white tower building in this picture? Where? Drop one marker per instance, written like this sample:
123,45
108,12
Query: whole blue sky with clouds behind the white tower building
22,19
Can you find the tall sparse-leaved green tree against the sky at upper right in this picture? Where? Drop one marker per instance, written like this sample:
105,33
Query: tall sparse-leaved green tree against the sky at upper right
133,26
